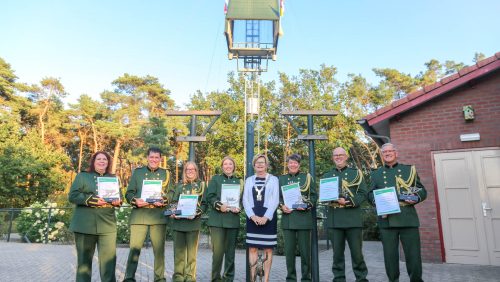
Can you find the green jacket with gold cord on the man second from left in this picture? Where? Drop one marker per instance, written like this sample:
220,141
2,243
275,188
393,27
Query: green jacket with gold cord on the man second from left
149,214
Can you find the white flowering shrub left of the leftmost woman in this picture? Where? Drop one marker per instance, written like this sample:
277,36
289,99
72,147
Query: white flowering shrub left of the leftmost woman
33,223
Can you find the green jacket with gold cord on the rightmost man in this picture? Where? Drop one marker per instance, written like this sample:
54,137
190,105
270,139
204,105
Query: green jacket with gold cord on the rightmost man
385,176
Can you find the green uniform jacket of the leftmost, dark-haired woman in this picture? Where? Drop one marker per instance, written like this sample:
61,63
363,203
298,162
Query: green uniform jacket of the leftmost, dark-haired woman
87,218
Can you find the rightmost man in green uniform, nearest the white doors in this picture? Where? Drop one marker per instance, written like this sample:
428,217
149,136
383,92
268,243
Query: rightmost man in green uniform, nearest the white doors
401,226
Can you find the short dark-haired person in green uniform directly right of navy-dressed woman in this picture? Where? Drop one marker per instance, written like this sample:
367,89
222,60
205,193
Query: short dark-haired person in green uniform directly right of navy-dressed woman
297,221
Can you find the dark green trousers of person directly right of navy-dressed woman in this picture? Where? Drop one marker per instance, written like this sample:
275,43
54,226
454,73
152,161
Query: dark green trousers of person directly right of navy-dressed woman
302,238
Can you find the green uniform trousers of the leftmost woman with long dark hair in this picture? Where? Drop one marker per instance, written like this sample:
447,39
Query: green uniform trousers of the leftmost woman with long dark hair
85,248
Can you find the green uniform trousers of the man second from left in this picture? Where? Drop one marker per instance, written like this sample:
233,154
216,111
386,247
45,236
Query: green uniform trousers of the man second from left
138,234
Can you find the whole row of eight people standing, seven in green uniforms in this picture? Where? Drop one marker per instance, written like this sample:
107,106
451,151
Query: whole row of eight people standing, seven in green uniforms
261,195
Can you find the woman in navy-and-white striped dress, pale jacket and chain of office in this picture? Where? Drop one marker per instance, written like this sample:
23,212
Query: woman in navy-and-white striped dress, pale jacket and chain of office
260,200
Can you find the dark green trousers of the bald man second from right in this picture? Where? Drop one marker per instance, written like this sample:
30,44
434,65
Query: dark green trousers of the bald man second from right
354,237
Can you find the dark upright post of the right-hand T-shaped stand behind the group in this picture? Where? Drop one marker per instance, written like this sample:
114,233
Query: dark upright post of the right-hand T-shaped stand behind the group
314,237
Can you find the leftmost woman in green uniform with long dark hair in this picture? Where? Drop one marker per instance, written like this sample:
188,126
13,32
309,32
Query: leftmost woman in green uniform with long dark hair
94,221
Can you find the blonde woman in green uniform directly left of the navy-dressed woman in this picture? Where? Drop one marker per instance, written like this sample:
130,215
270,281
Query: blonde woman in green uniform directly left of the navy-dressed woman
224,220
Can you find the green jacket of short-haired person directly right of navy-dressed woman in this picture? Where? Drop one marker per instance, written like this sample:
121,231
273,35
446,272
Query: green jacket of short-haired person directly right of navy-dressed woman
299,219
